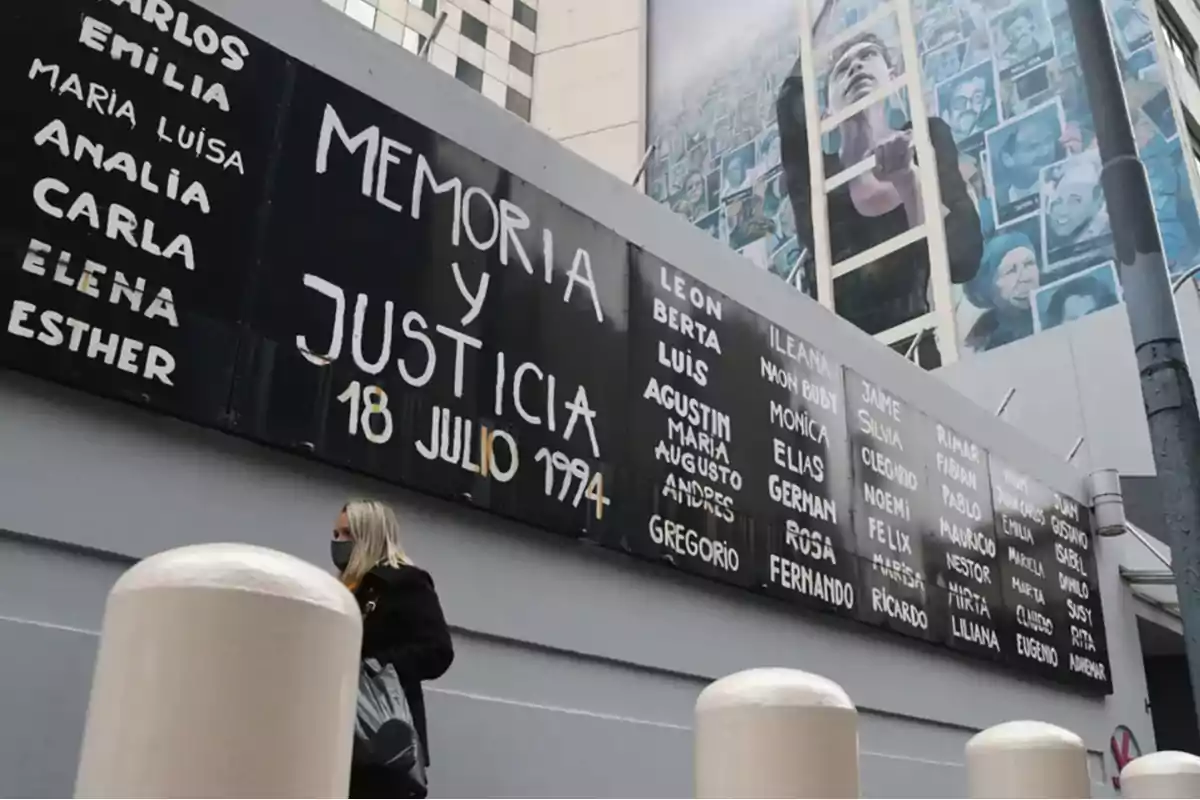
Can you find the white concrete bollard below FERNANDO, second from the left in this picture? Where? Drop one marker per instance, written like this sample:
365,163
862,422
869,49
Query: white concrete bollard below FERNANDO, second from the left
776,733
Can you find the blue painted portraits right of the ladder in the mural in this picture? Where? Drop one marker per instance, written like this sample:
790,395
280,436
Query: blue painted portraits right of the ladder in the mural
1005,77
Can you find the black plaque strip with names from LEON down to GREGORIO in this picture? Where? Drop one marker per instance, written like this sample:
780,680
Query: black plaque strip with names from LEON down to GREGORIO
694,434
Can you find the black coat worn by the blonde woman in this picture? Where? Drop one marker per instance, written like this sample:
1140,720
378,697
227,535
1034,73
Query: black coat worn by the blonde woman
406,629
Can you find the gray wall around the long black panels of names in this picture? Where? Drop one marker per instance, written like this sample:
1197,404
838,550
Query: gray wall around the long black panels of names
577,669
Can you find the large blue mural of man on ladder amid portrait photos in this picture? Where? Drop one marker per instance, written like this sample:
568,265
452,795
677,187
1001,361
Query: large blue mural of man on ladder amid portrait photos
1029,237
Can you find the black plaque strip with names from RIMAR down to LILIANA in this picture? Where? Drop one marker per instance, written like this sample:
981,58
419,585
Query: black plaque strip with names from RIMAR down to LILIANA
962,558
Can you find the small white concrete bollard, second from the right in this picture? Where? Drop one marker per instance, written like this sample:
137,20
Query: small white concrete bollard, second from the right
1028,760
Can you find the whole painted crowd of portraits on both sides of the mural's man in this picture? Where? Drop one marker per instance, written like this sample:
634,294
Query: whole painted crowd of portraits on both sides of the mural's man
1005,77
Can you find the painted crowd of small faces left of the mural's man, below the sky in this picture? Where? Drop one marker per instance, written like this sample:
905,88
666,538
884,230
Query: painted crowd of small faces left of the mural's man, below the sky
718,159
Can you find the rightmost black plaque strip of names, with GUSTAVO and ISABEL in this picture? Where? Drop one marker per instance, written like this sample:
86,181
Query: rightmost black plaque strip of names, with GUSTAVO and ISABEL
1082,630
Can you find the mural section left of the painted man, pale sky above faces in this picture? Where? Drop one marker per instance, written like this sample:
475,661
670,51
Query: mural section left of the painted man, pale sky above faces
715,77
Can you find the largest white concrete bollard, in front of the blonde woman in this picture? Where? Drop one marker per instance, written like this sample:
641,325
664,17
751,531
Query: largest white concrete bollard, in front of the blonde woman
225,671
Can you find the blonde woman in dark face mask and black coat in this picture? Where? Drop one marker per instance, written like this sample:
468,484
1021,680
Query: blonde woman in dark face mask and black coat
404,628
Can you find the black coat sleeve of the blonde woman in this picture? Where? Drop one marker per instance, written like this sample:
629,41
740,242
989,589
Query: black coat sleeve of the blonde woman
417,640
